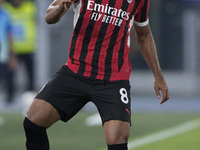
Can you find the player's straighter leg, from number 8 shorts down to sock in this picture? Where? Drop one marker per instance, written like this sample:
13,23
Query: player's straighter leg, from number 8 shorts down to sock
113,102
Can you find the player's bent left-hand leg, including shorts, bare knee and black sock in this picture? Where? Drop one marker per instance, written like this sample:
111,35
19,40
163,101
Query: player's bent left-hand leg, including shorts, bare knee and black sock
58,100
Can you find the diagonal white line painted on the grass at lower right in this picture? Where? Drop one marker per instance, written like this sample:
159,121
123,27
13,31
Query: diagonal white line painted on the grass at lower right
165,134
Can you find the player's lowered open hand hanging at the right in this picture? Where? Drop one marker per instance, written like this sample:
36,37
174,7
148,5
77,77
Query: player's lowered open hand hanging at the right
160,85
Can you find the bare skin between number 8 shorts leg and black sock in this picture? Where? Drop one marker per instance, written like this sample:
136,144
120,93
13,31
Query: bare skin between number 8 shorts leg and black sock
116,131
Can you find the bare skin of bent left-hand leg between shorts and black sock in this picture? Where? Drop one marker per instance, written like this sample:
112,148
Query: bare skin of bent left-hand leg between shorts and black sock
42,113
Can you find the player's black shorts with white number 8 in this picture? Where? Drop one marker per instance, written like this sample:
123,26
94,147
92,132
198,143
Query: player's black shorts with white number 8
68,93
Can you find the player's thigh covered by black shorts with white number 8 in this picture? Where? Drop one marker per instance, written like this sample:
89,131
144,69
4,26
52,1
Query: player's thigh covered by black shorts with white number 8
113,101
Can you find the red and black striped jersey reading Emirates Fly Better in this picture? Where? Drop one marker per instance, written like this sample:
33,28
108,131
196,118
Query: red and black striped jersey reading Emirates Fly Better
100,41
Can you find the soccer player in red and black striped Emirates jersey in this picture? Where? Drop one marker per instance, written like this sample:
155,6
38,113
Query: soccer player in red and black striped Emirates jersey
97,69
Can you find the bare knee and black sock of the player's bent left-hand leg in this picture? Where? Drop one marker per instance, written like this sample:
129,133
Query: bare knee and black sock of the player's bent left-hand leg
40,116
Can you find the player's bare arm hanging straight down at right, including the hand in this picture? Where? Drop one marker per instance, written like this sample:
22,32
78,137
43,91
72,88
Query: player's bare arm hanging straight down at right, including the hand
148,49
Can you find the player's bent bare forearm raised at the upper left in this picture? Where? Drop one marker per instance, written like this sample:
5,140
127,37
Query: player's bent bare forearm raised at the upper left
56,10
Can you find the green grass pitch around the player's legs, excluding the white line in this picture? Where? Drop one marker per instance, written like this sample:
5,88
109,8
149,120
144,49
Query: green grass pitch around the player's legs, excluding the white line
75,135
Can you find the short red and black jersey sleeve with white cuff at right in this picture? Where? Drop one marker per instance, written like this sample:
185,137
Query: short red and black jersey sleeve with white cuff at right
141,18
